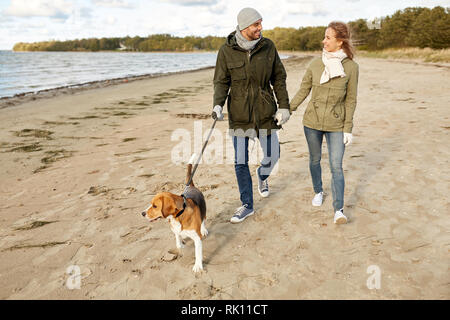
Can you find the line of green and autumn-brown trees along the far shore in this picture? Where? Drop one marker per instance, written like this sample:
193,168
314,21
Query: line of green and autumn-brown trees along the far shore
411,27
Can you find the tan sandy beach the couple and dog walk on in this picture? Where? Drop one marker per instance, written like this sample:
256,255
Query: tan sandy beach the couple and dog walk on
79,167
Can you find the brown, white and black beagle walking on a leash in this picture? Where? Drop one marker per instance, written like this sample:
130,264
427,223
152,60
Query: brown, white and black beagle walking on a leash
186,215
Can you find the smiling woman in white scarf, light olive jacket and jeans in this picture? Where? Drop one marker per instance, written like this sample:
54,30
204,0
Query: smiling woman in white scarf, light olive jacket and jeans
333,79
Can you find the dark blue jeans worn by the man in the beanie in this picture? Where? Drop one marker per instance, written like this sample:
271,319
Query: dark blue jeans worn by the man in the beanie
271,149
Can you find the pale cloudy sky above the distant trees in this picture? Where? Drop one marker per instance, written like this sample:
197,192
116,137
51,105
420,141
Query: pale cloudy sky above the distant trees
41,20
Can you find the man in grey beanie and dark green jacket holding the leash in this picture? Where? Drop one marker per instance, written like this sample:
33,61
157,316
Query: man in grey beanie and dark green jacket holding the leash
248,71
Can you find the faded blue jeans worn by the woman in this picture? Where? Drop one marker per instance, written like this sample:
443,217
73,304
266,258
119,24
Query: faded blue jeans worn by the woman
336,150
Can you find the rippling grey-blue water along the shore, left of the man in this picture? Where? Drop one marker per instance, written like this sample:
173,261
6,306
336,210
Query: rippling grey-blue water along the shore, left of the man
22,72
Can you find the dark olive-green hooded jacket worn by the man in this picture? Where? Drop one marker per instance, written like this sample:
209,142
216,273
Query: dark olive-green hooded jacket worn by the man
244,79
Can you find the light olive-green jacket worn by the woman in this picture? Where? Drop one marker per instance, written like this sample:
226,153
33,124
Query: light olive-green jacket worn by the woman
332,104
